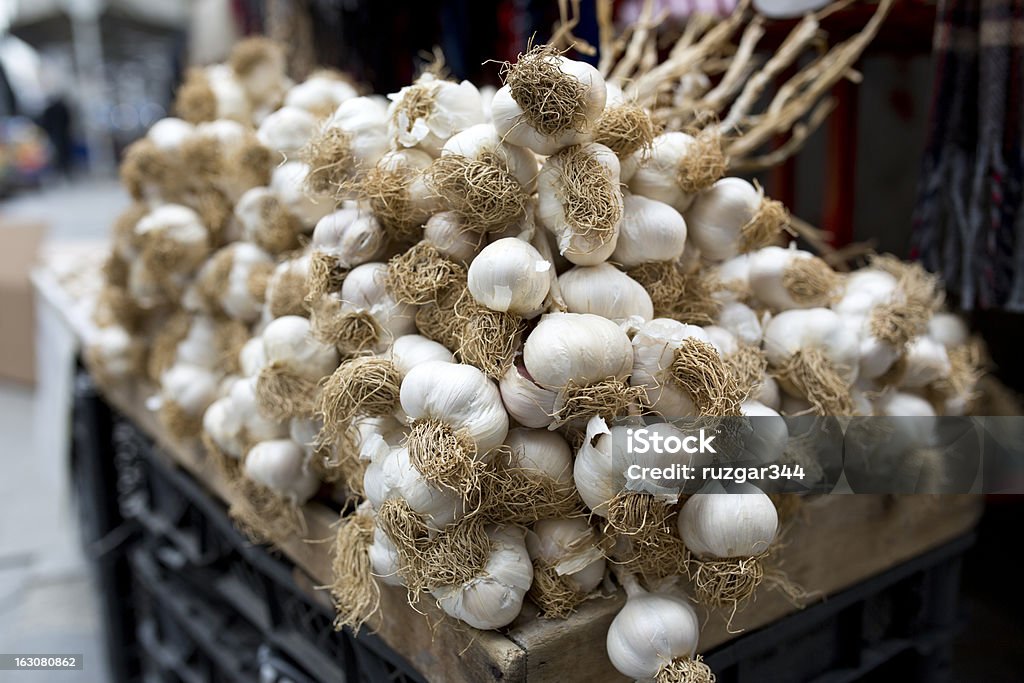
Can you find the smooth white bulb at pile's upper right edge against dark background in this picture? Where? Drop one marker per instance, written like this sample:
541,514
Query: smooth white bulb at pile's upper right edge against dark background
717,217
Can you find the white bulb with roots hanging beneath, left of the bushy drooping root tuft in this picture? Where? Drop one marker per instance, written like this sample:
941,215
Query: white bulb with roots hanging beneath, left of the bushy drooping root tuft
287,386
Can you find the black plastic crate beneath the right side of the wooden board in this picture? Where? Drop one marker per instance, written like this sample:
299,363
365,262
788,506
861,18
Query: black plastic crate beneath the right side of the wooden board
897,626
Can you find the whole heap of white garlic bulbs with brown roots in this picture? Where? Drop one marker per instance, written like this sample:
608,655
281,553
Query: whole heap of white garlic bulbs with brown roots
437,304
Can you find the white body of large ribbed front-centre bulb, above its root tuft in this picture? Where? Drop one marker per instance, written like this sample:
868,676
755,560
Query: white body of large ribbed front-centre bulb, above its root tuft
460,397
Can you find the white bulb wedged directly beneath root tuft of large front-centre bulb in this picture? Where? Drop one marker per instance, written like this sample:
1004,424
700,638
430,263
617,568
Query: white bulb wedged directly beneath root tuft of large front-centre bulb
392,476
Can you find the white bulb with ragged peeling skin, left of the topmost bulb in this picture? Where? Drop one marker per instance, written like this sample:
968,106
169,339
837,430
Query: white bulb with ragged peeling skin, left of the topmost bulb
426,114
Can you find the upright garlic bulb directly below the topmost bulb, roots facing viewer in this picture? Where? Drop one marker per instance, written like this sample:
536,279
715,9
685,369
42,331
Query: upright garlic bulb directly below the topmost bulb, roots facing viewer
576,243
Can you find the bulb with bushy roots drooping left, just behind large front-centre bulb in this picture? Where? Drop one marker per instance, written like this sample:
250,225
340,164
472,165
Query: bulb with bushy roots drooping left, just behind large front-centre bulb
368,387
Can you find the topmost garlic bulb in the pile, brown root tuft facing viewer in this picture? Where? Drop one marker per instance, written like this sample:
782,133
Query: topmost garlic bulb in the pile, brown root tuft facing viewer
536,129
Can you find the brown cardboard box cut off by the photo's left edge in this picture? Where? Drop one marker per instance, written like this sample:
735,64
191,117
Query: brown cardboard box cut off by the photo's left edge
20,241
